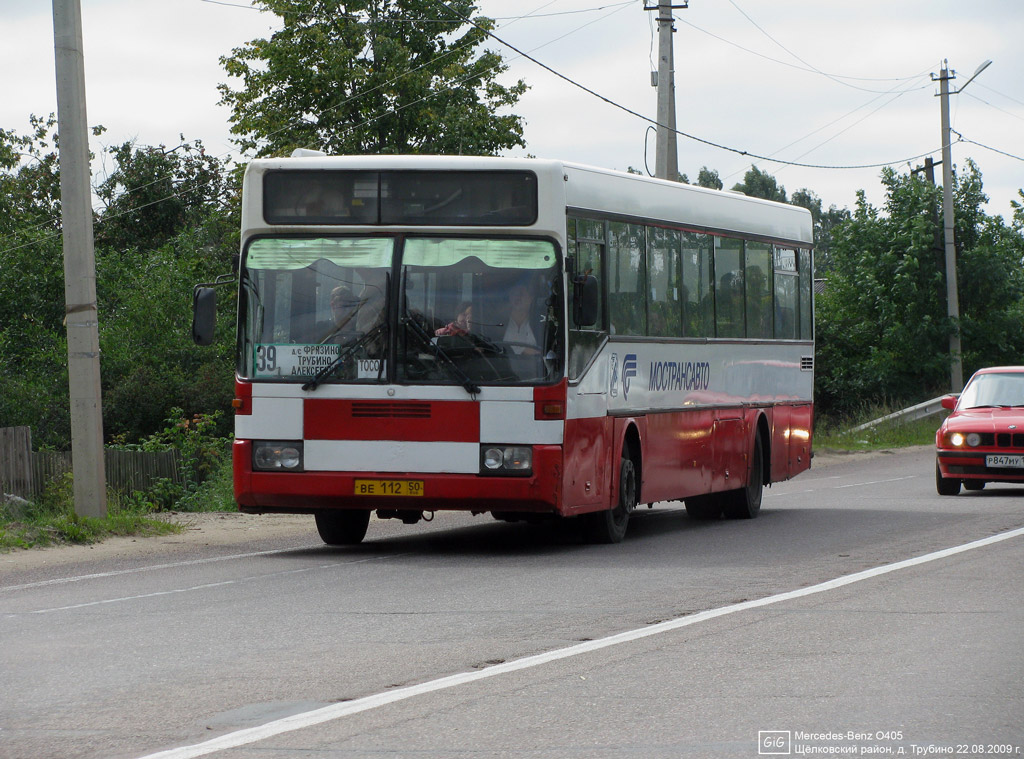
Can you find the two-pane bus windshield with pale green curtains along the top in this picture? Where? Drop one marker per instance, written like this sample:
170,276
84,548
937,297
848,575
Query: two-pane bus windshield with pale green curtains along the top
470,311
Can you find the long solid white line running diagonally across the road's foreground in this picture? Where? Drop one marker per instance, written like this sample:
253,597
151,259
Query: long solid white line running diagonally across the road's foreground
337,711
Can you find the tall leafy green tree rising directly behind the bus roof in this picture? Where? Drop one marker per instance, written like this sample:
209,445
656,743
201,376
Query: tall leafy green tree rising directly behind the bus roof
370,77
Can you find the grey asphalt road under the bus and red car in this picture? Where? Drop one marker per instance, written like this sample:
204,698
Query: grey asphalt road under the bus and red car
798,631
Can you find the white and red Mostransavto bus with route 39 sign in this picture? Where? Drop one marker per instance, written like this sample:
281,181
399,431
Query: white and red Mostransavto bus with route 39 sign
529,339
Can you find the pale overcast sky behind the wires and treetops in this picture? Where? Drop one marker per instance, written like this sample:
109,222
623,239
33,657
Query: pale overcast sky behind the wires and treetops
821,82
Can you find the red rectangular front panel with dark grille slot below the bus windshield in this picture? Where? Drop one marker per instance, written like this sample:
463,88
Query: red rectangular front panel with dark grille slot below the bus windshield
422,421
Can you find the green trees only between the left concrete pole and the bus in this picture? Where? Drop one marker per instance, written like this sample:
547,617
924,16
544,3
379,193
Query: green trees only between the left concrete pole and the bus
170,221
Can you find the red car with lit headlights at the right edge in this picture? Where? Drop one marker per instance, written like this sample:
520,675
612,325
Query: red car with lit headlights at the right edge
984,440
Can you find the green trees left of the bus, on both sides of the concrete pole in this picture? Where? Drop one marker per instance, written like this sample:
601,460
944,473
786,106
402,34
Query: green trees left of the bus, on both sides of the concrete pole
157,237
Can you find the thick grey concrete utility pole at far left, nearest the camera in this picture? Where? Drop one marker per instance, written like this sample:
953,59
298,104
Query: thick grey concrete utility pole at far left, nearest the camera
80,265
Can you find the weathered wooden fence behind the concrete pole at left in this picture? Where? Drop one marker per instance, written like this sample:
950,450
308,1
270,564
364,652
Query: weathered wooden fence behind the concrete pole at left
26,473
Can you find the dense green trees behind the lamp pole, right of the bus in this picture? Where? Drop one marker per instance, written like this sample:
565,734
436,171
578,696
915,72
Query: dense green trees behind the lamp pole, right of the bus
883,330
